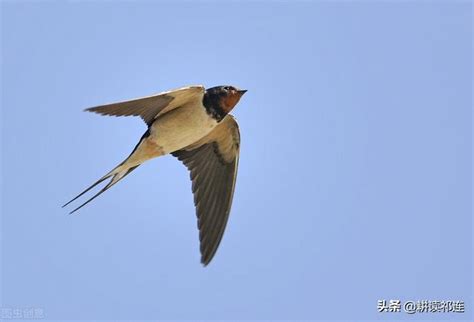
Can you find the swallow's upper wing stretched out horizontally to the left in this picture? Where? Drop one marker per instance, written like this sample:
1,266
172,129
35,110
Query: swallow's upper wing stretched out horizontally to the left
148,108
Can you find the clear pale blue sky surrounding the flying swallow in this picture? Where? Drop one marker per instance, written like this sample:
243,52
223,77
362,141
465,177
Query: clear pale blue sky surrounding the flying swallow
355,171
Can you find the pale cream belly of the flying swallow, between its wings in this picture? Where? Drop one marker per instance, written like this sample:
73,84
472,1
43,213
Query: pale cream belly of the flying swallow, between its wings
181,127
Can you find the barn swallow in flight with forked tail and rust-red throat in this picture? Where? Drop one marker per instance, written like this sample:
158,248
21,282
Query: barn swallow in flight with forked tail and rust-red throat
194,125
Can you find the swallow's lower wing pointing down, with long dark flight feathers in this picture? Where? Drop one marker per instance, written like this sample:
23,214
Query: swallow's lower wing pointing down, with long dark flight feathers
212,162
